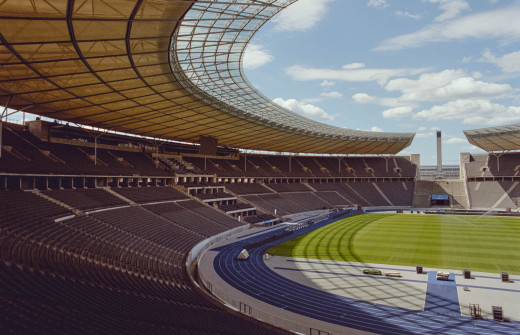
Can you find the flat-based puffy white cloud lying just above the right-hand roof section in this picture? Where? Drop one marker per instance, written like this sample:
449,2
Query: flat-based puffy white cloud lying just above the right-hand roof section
474,111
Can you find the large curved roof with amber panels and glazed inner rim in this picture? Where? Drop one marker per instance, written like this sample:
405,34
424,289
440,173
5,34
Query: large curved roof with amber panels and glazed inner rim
169,69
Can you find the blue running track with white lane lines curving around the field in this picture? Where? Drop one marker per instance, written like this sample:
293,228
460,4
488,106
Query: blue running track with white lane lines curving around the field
255,279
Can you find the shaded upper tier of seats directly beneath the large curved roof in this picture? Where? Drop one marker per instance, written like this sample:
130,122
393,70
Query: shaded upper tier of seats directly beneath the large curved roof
28,154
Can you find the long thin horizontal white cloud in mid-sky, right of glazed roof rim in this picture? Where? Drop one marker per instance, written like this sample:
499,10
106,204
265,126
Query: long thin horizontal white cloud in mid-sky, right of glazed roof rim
303,73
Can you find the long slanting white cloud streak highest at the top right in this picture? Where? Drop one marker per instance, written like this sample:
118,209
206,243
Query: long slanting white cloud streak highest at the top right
500,24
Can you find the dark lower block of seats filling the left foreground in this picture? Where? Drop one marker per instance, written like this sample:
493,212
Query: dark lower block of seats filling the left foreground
118,271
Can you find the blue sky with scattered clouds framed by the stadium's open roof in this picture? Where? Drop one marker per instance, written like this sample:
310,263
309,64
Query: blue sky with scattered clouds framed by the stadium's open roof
395,65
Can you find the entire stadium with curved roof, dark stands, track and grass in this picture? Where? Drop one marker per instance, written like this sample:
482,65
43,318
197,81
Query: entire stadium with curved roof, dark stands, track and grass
139,202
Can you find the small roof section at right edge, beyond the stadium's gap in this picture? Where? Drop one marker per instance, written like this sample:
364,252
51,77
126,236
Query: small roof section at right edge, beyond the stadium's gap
502,138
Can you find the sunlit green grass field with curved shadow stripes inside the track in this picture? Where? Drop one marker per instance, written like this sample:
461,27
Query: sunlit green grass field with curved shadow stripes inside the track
479,243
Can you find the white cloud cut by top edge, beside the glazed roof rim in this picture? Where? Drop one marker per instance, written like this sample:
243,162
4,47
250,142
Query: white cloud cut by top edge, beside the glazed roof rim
301,15
